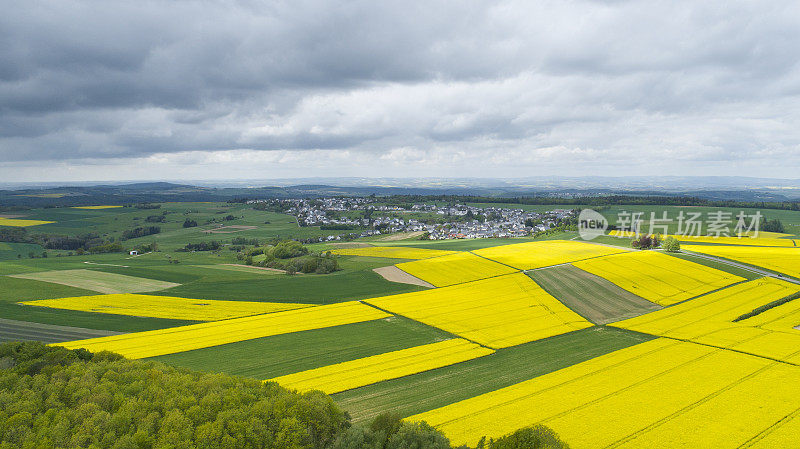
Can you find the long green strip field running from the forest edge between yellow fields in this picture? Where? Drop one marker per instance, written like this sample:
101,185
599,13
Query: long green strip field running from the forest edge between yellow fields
436,388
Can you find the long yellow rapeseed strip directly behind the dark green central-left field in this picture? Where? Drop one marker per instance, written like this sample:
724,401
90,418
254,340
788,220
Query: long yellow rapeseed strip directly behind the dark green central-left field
186,338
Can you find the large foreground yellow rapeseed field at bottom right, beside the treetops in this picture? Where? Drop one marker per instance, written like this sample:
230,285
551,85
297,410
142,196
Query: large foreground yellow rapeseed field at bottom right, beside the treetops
658,394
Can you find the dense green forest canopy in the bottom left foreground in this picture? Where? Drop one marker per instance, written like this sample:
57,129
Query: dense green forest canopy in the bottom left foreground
52,397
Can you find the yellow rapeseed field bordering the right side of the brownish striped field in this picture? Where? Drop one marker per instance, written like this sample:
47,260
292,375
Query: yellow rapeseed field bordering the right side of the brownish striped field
658,277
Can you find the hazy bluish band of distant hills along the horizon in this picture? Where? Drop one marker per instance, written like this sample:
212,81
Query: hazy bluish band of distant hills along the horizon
755,190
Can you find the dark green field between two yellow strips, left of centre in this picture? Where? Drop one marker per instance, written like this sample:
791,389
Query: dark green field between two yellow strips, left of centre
269,357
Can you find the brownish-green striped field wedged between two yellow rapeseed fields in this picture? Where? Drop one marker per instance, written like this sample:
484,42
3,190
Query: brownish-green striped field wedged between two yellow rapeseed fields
593,297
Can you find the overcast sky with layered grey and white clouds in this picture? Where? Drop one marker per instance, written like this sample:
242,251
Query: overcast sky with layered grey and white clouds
105,90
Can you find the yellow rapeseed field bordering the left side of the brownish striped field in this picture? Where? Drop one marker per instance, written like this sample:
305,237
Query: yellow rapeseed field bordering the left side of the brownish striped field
497,312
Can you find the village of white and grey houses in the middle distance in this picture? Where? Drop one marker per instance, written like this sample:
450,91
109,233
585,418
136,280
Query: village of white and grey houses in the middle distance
437,222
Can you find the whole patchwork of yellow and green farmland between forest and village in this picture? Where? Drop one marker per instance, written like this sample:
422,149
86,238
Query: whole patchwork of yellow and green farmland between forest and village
607,346
